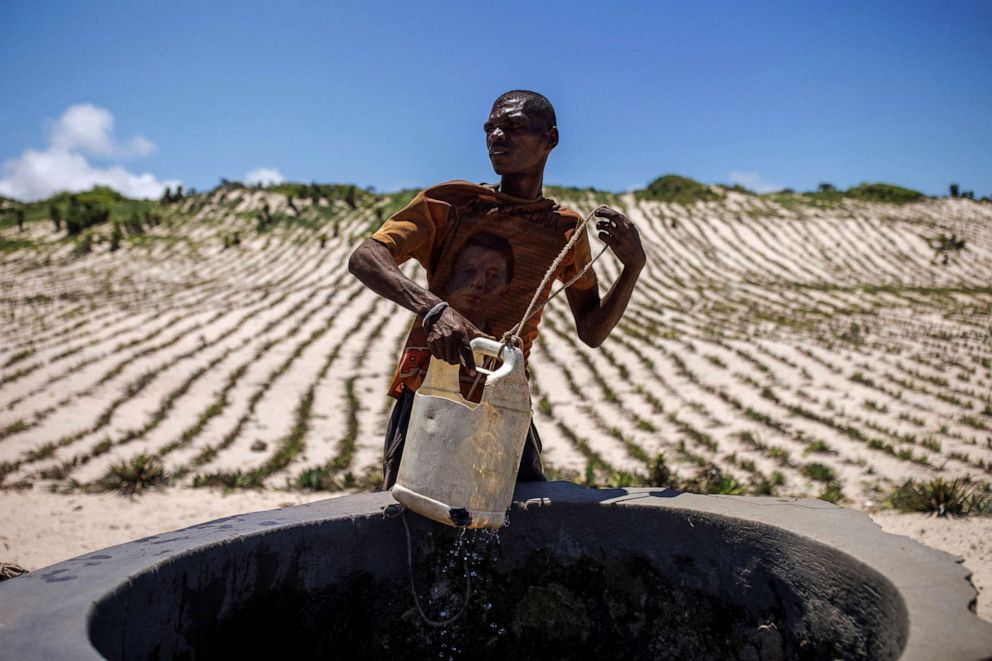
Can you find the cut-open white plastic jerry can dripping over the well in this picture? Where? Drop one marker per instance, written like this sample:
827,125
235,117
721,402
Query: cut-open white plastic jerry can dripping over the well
460,462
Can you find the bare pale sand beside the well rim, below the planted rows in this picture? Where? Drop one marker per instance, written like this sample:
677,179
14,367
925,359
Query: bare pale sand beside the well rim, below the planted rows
38,529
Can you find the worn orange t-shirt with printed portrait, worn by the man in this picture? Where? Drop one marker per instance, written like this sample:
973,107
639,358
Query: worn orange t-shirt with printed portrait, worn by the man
437,224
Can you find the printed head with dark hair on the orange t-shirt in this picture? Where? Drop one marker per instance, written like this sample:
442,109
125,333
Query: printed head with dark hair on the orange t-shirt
481,273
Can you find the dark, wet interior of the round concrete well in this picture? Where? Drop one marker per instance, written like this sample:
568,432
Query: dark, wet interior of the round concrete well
566,581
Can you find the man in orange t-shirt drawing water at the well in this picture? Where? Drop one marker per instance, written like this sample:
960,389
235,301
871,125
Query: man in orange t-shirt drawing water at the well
521,132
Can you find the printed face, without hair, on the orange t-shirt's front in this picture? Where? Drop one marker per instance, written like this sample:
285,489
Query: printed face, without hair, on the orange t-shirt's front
479,278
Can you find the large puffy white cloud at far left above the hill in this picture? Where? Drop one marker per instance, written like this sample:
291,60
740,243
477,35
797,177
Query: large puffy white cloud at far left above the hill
82,129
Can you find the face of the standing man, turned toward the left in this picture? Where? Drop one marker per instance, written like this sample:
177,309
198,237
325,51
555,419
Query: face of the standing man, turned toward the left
518,142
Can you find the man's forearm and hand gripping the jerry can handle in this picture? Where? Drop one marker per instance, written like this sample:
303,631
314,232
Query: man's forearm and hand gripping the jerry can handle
448,335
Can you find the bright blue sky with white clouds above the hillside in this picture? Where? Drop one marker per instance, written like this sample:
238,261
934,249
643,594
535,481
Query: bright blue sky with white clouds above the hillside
393,94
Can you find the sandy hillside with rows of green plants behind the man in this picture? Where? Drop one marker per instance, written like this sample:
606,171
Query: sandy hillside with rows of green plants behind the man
828,346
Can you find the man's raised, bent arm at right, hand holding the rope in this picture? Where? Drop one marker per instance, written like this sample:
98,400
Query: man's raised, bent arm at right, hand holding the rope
595,317
